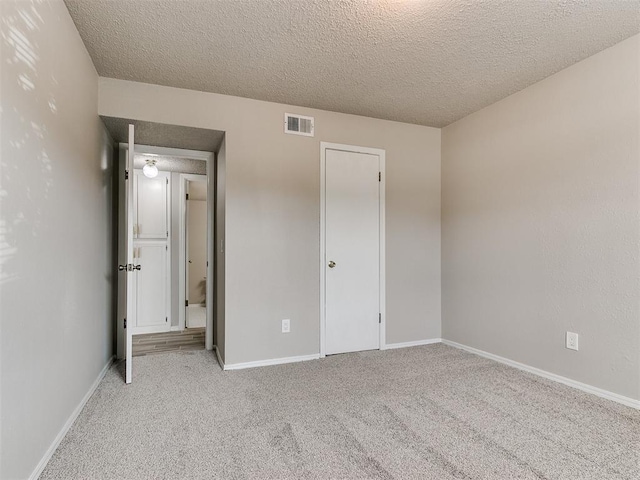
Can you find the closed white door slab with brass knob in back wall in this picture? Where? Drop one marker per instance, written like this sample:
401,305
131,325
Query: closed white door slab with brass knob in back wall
352,229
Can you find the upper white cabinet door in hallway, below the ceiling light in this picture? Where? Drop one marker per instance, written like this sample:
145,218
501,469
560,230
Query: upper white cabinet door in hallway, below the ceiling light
150,196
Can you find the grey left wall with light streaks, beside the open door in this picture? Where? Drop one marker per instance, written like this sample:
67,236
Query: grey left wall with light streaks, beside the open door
55,237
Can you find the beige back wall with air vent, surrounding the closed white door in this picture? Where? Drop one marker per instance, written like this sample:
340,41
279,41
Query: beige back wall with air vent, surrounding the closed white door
272,214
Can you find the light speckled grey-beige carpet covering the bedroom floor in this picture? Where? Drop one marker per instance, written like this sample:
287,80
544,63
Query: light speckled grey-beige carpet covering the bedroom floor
431,412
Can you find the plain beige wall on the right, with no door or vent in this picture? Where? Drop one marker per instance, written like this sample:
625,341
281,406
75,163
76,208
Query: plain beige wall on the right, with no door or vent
540,223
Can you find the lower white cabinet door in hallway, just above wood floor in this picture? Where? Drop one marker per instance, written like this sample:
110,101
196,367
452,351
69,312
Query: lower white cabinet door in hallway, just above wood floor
151,286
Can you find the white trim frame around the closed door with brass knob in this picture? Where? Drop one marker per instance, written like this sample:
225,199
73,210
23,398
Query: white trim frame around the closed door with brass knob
324,146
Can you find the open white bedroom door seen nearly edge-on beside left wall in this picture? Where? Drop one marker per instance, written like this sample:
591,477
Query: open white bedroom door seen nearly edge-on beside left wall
126,285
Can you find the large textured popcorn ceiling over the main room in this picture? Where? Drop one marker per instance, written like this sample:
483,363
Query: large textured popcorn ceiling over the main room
428,62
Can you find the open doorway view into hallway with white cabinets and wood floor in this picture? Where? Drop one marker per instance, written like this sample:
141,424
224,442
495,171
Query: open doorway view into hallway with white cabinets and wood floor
184,206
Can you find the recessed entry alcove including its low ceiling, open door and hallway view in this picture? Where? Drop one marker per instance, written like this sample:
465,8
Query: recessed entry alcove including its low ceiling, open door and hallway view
166,219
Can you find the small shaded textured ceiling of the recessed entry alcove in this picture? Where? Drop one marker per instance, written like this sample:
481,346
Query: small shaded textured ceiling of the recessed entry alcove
163,135
